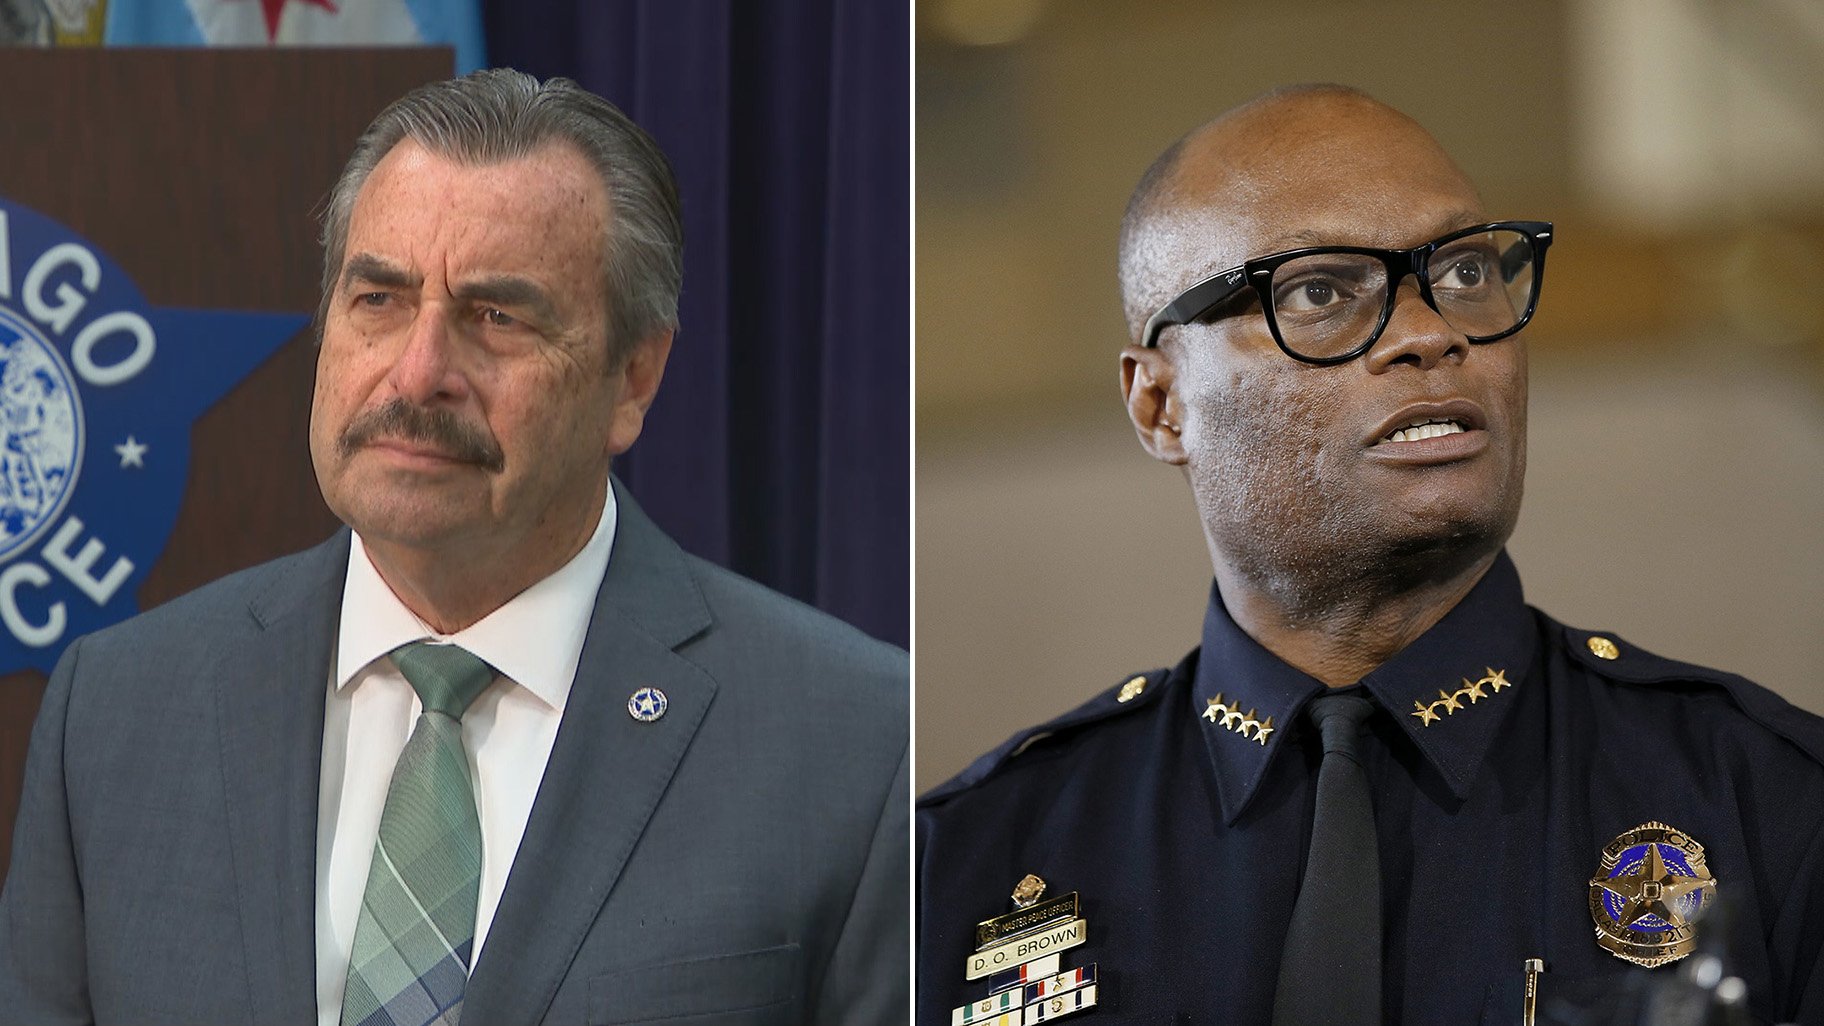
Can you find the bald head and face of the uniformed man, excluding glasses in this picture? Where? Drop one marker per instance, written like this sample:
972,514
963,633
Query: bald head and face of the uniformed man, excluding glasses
1303,505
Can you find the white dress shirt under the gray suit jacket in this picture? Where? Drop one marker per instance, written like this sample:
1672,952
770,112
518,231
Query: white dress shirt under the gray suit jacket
534,642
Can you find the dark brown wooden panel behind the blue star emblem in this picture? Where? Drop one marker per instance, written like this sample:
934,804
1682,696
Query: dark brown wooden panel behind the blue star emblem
202,173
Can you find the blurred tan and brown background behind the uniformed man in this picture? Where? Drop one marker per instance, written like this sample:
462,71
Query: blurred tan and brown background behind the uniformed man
1677,455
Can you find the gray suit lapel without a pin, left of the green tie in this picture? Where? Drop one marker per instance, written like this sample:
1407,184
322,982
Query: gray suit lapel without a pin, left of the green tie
271,724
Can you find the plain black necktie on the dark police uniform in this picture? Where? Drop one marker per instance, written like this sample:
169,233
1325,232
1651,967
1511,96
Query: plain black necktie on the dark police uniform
1331,970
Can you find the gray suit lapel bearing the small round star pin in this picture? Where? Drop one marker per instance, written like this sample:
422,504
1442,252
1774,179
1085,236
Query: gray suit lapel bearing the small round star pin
606,771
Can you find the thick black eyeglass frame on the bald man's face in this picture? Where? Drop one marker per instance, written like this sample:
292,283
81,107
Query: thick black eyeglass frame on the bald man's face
1221,288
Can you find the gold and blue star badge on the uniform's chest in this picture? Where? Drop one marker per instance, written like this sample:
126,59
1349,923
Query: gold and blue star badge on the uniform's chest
1648,894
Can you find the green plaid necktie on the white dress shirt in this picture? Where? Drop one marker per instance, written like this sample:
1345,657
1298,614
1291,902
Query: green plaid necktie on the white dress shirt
417,930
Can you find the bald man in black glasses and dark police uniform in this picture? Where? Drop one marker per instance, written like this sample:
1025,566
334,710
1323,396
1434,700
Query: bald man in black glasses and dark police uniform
1384,790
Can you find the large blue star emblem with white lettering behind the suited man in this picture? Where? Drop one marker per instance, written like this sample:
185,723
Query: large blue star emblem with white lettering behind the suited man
99,392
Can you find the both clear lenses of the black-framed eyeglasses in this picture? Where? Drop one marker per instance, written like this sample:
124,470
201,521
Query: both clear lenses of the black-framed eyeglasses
1331,304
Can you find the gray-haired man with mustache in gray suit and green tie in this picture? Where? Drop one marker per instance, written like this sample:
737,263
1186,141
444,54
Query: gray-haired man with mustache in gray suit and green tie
499,751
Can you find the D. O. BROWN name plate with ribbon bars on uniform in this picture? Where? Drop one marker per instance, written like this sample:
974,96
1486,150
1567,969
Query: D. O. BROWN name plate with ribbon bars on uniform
1019,956
